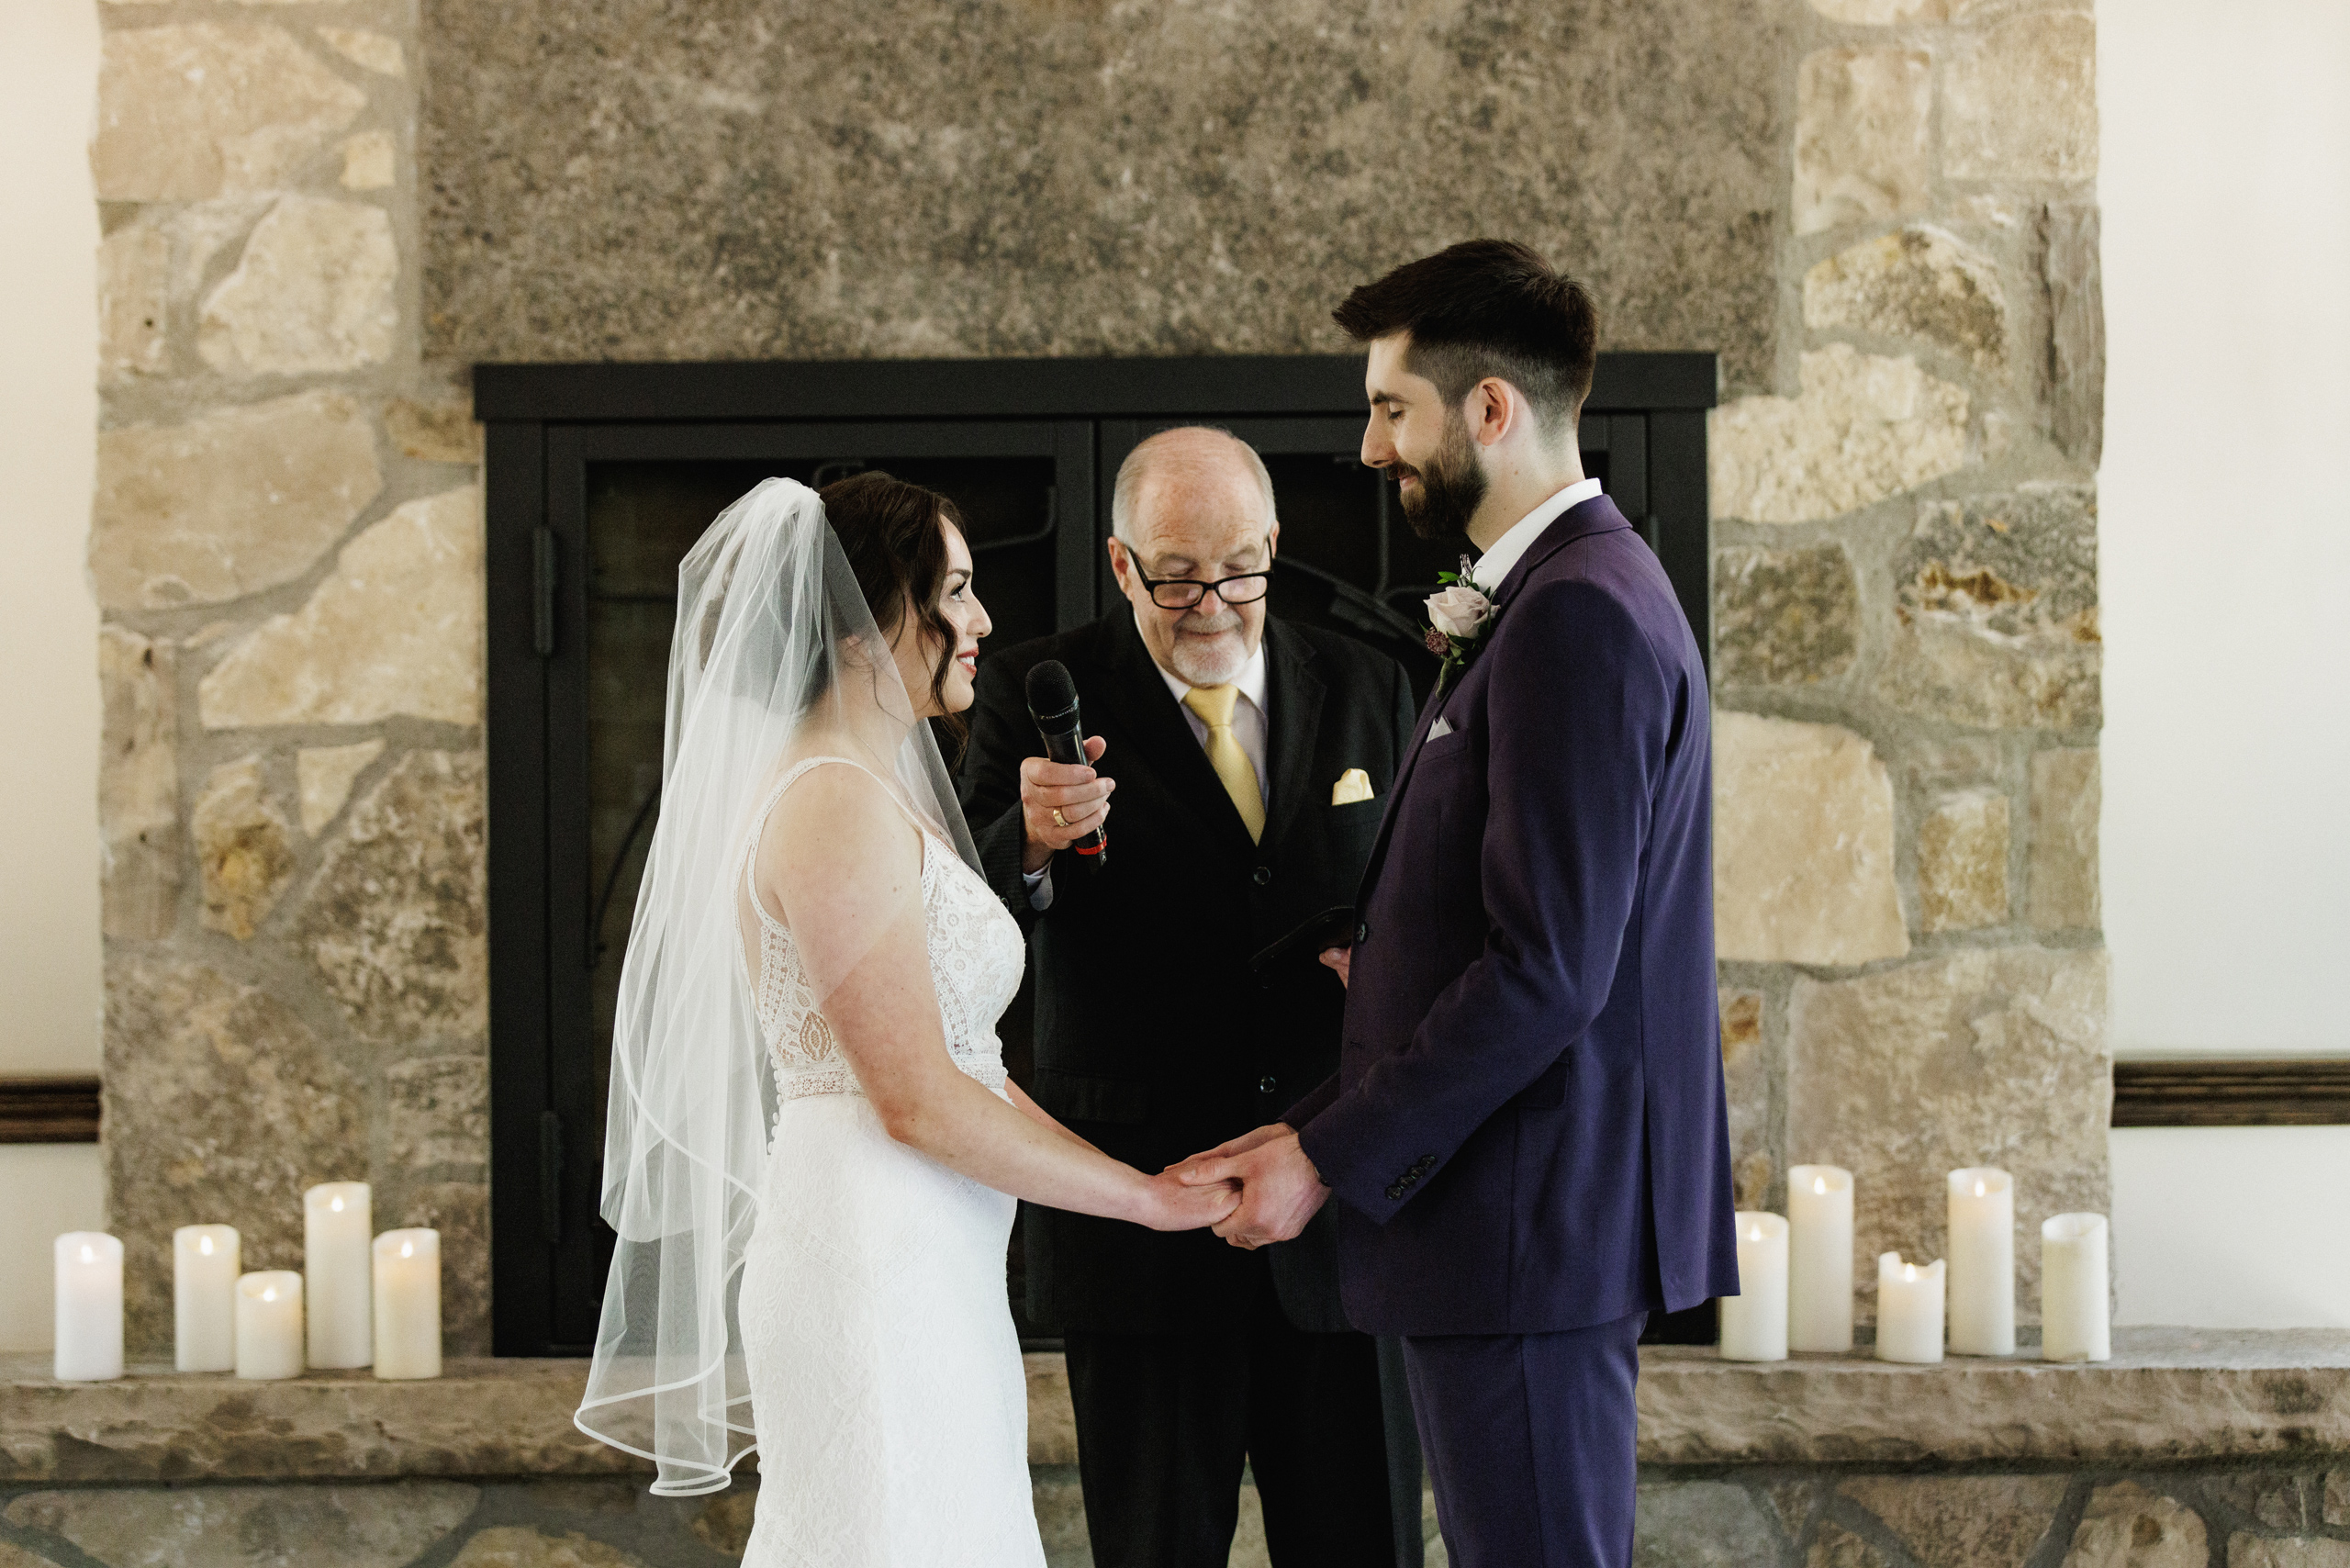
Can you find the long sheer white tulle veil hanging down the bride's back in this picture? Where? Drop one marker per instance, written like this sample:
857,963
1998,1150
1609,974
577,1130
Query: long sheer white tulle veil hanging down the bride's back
774,643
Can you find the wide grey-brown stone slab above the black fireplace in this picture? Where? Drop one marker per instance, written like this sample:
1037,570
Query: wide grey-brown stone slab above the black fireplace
1075,180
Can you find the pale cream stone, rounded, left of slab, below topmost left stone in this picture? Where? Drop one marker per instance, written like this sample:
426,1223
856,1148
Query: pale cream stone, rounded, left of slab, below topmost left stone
314,293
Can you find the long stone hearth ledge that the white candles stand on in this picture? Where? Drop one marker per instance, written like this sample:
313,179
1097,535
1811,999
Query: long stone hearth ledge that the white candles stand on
2168,1395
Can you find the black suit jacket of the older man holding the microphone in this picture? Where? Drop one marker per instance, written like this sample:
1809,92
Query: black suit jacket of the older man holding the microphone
1157,1036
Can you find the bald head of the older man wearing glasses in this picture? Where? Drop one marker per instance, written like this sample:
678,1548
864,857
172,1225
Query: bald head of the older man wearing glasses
1195,504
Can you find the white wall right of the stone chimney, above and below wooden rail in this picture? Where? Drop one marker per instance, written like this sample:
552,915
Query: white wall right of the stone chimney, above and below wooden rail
2224,544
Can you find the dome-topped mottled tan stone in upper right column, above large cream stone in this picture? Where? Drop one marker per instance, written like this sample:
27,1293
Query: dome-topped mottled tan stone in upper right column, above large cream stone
1916,283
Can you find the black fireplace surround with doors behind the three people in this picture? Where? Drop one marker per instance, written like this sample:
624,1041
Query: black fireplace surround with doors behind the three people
600,478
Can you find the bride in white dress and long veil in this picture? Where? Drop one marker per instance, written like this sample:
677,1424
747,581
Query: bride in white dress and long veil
814,1153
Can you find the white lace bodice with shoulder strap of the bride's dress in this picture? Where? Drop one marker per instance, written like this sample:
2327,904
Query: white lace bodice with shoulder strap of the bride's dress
976,958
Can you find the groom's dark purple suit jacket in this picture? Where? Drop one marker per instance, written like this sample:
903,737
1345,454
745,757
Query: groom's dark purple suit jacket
1526,1132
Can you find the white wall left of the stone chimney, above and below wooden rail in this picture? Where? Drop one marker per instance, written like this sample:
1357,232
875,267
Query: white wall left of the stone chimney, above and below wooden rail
48,624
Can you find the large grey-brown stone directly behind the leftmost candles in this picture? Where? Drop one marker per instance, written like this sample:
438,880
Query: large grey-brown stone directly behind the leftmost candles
220,1106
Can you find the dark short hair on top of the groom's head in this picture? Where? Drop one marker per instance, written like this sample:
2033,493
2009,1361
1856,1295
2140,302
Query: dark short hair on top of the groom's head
1486,309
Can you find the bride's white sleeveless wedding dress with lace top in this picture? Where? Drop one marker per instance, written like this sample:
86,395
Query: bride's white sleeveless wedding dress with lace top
878,1339
